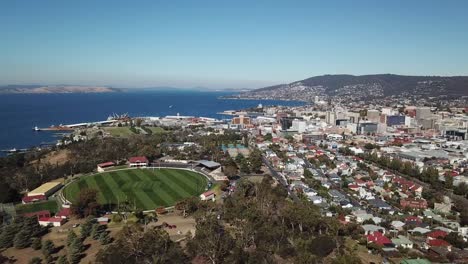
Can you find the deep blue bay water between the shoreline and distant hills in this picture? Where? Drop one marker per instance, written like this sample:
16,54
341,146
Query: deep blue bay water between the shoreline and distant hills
19,113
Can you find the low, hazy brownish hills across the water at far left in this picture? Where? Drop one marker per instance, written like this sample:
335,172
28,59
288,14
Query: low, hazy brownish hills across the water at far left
45,89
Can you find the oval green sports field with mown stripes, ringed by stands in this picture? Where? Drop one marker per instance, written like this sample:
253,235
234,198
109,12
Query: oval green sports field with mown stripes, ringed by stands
145,188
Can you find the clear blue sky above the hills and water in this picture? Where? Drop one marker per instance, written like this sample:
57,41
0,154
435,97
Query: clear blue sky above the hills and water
227,45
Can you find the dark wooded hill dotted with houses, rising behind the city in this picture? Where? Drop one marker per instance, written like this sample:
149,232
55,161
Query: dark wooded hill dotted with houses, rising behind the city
363,86
